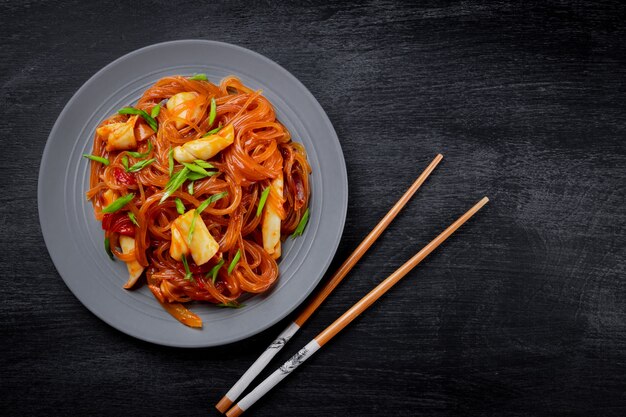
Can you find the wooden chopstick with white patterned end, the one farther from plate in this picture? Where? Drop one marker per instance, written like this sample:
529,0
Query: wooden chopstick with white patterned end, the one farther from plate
347,317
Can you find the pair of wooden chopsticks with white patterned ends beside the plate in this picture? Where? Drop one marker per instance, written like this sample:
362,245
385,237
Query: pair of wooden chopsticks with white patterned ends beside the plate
346,318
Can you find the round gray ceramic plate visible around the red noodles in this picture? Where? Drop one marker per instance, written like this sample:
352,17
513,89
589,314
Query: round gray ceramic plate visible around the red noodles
75,239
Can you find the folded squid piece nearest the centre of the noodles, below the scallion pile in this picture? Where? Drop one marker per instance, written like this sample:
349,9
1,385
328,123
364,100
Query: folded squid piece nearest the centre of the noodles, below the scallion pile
202,246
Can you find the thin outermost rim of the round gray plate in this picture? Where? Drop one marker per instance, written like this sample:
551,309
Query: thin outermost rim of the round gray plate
284,72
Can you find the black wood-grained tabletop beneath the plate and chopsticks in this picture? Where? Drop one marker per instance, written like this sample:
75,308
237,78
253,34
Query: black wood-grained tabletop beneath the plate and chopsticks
523,312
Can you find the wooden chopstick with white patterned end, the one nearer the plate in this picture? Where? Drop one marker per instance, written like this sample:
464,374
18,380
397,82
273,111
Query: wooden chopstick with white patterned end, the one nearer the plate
245,380
